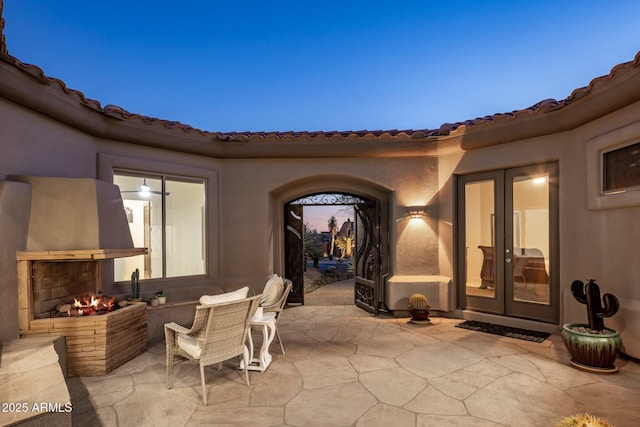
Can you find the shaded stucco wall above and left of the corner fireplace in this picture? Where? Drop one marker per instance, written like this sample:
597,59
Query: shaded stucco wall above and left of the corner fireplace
30,145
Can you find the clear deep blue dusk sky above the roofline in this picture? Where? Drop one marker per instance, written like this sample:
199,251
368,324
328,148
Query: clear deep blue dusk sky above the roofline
322,65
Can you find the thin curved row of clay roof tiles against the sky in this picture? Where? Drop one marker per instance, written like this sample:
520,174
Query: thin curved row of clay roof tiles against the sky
446,129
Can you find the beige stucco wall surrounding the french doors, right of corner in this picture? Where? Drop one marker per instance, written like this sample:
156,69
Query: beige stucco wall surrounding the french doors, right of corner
600,244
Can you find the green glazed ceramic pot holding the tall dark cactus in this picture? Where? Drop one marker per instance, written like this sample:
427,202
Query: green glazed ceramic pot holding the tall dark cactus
590,352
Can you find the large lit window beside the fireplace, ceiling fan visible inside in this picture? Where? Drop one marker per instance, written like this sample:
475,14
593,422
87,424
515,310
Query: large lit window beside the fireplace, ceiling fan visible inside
166,215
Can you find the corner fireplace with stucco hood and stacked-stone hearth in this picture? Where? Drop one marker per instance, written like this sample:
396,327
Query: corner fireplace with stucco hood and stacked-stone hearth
75,224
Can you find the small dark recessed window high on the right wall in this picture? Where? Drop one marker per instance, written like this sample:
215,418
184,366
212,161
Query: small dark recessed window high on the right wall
621,168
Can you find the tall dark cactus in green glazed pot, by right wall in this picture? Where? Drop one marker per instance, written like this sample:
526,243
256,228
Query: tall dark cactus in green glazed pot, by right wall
593,347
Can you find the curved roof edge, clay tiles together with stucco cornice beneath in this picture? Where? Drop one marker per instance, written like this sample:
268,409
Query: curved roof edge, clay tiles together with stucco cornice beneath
115,122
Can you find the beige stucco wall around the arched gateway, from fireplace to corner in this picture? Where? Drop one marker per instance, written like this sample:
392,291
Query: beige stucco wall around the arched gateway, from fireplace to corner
244,230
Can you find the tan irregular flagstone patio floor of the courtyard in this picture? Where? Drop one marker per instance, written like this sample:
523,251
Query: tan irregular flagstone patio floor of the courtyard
343,367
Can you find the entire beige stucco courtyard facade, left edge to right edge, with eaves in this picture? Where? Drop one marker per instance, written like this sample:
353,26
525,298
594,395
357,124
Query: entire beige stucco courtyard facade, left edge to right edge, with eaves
47,130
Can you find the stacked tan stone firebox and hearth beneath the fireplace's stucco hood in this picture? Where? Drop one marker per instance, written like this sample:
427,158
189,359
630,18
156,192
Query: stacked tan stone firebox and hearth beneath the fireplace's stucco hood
95,344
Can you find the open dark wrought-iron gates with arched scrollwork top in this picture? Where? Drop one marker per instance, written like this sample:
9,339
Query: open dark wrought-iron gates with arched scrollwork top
368,266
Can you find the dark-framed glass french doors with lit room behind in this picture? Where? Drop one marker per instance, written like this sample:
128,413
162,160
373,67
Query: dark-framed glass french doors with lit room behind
507,242
